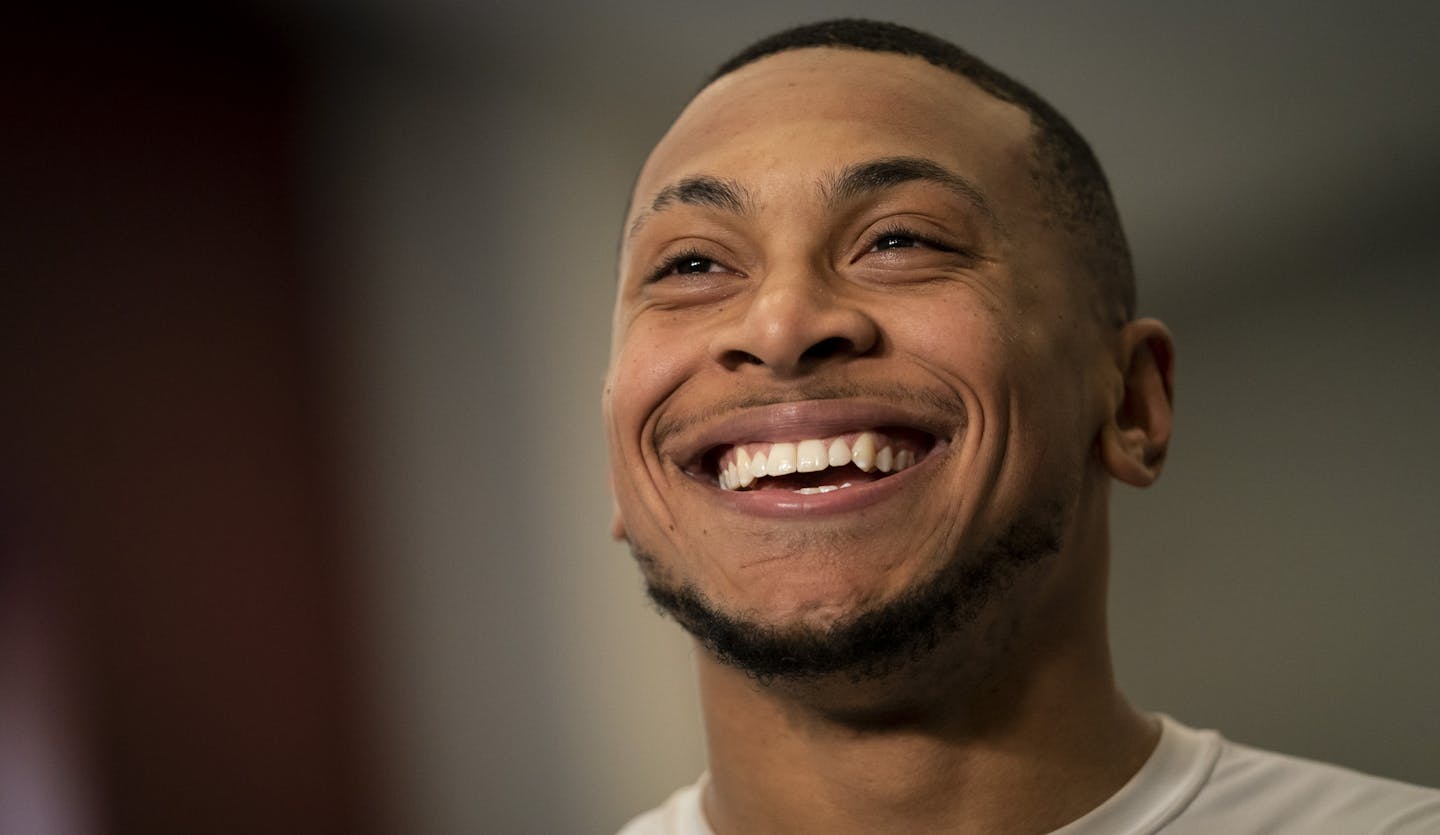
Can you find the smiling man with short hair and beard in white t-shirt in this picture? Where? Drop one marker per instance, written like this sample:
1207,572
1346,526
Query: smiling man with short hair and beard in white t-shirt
875,366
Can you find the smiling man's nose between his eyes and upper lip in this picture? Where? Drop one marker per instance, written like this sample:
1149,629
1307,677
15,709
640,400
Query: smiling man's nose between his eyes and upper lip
793,322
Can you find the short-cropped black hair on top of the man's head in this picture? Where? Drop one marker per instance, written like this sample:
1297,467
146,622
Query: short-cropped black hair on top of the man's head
1065,165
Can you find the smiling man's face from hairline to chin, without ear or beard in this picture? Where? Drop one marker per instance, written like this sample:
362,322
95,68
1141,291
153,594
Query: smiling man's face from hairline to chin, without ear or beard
833,251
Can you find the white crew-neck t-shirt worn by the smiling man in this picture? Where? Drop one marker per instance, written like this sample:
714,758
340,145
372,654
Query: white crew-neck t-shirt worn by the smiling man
1199,784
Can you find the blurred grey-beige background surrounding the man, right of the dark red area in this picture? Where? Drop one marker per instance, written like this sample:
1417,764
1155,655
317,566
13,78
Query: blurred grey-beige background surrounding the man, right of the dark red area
463,171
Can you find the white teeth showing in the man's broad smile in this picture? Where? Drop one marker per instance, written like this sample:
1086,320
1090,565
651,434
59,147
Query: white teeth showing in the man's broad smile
745,463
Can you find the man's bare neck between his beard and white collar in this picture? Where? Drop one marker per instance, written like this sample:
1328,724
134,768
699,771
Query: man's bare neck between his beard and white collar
954,748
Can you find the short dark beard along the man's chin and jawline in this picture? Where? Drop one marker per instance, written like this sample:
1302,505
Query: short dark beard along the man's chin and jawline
876,643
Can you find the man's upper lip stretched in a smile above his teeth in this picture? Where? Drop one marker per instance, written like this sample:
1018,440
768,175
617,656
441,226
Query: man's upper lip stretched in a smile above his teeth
803,420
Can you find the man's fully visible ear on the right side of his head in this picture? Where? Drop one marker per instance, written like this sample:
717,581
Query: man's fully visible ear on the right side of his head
1137,437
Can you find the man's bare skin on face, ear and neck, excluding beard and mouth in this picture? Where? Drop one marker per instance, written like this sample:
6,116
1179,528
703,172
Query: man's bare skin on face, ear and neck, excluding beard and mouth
803,313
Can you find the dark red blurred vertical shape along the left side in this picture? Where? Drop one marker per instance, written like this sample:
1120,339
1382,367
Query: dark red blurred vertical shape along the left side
162,435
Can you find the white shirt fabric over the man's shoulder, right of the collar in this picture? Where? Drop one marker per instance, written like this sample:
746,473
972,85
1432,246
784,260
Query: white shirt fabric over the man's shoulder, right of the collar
1255,791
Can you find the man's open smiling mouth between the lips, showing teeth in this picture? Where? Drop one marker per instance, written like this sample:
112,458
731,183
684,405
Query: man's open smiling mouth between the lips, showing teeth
817,466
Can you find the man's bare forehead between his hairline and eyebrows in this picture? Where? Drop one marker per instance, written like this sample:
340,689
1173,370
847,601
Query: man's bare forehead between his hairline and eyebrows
809,113
